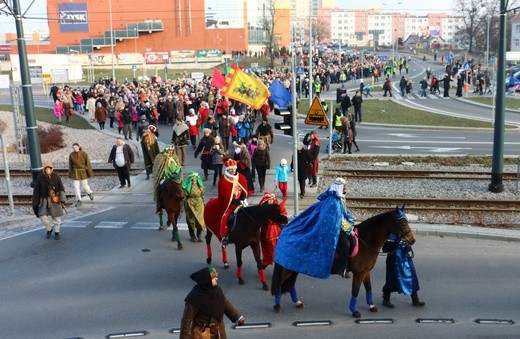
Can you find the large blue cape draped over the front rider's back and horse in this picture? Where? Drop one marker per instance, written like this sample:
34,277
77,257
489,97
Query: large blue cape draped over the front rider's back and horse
307,244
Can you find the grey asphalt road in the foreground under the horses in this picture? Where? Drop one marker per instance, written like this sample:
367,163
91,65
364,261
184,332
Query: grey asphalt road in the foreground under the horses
109,277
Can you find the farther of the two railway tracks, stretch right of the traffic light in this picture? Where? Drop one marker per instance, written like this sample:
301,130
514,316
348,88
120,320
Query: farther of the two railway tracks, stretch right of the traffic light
415,174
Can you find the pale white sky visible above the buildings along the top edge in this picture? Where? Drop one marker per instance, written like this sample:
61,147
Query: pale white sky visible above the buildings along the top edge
38,10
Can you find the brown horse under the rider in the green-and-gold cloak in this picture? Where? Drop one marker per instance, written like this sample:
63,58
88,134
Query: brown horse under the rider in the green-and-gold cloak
171,195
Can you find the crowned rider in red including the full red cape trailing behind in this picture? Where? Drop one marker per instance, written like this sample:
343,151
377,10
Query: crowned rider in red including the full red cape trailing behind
232,192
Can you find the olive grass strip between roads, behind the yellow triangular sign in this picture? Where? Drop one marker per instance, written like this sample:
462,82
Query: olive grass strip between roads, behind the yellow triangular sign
391,113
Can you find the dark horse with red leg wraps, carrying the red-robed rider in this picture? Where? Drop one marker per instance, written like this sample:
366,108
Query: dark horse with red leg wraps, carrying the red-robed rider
244,231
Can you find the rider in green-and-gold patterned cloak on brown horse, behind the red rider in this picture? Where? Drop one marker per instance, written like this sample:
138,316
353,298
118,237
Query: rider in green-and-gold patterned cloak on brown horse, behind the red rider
166,166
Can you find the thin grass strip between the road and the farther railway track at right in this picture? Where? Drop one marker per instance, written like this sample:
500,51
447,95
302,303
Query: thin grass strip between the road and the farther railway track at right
439,160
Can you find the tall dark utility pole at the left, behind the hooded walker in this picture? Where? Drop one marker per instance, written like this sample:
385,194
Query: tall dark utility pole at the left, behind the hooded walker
28,100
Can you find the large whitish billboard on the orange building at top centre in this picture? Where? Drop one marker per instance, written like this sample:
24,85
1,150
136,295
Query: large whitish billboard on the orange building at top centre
224,14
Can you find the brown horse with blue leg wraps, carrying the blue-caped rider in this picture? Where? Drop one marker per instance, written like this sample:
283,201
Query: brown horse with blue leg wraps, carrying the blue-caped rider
372,234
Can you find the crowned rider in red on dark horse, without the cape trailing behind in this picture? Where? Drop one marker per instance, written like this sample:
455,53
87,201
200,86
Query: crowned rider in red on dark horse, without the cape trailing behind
232,192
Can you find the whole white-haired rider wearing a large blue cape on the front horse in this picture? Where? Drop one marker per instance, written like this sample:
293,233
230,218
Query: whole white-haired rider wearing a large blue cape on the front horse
308,243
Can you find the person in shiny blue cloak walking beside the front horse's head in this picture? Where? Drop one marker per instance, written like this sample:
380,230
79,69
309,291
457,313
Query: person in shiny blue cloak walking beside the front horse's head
401,276
